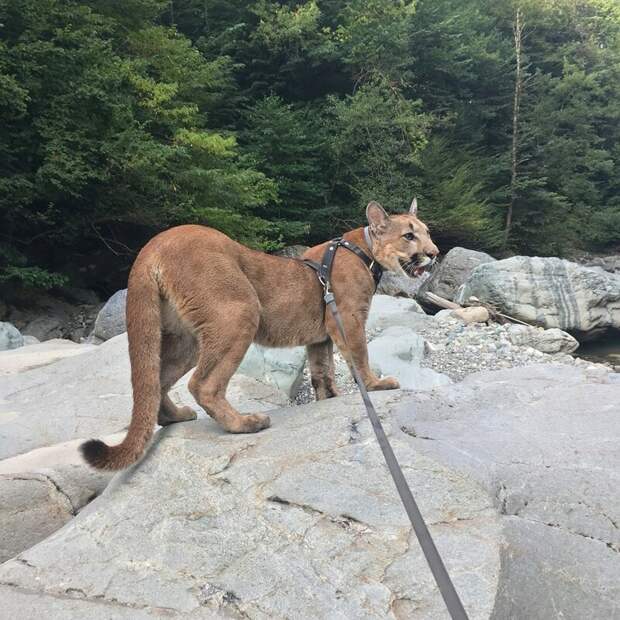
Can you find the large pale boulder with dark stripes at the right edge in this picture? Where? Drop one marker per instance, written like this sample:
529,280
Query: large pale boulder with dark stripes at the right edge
549,292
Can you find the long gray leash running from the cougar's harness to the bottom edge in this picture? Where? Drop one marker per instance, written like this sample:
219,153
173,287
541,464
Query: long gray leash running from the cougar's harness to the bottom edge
446,587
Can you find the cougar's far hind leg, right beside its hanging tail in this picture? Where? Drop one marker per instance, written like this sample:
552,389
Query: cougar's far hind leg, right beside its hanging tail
178,356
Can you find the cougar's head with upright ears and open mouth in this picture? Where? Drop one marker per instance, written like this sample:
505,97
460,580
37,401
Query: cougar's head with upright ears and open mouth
400,243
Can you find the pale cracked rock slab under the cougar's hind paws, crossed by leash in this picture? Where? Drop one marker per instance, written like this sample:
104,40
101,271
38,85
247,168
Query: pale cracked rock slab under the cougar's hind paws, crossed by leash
298,521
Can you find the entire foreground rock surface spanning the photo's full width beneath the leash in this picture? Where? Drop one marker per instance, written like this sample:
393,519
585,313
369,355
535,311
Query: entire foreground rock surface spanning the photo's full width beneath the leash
516,472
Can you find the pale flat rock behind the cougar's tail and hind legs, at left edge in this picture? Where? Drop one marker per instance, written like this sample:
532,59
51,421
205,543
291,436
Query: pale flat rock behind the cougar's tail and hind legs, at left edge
90,395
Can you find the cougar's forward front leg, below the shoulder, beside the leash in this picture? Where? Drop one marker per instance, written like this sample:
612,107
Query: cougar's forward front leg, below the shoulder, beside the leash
356,350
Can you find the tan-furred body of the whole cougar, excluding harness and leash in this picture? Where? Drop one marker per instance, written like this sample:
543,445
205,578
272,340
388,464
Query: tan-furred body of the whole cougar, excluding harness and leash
197,298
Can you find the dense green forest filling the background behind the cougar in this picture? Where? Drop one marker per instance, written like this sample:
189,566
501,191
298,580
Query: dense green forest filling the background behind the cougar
277,122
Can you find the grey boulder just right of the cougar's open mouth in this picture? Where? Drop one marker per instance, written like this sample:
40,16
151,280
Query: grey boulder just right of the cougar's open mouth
453,271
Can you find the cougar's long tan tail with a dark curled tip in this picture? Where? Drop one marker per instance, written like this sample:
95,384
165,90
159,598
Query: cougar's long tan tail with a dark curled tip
144,333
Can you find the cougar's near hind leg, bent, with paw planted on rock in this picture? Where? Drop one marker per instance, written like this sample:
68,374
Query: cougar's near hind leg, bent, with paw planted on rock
223,341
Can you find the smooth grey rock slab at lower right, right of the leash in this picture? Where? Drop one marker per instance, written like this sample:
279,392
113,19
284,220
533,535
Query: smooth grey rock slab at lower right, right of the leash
545,442
